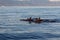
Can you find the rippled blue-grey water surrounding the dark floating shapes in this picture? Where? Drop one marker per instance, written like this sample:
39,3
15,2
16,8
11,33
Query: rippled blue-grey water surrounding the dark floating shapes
11,28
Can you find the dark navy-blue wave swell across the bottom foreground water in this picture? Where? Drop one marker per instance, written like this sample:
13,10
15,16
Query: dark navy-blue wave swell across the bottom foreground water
33,35
